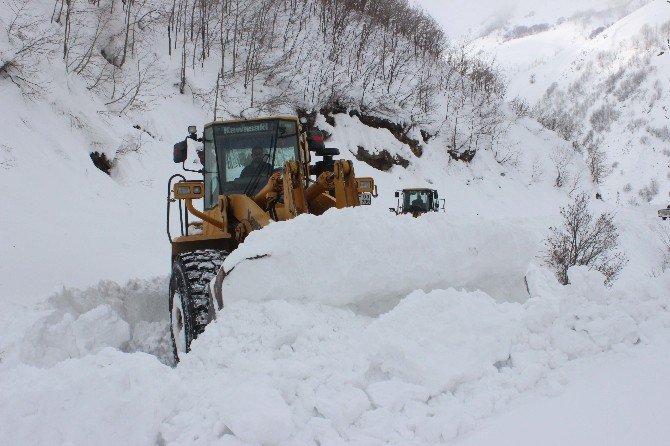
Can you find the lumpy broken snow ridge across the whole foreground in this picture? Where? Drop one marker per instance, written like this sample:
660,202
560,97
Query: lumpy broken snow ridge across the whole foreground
289,372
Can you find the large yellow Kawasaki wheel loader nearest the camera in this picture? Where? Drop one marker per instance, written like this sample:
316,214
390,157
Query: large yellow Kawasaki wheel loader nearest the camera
254,171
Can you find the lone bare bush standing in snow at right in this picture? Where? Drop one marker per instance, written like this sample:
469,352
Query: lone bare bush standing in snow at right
584,241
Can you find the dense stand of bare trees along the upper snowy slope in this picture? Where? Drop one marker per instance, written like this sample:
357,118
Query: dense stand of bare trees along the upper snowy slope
383,58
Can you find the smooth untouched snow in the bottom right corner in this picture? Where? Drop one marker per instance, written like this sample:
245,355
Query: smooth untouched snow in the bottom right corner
615,399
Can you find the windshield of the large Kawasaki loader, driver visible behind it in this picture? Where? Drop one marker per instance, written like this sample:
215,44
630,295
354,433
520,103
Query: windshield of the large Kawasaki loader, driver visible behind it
249,152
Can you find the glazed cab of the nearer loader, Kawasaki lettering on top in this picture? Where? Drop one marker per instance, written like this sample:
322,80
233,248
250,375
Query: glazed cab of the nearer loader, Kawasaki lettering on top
240,156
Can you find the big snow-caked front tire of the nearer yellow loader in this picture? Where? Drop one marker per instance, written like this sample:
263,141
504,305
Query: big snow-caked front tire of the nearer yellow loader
189,303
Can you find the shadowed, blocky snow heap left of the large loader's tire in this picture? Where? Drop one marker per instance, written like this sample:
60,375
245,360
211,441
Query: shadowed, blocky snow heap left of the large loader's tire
76,323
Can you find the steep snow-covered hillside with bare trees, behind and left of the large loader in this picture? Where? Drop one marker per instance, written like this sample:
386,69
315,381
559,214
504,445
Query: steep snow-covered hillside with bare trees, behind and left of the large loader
59,107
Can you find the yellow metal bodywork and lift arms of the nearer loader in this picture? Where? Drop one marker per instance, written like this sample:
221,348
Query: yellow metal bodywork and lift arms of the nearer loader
236,215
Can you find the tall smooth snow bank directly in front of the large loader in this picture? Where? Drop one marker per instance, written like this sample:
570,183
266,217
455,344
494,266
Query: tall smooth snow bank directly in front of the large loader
369,259
